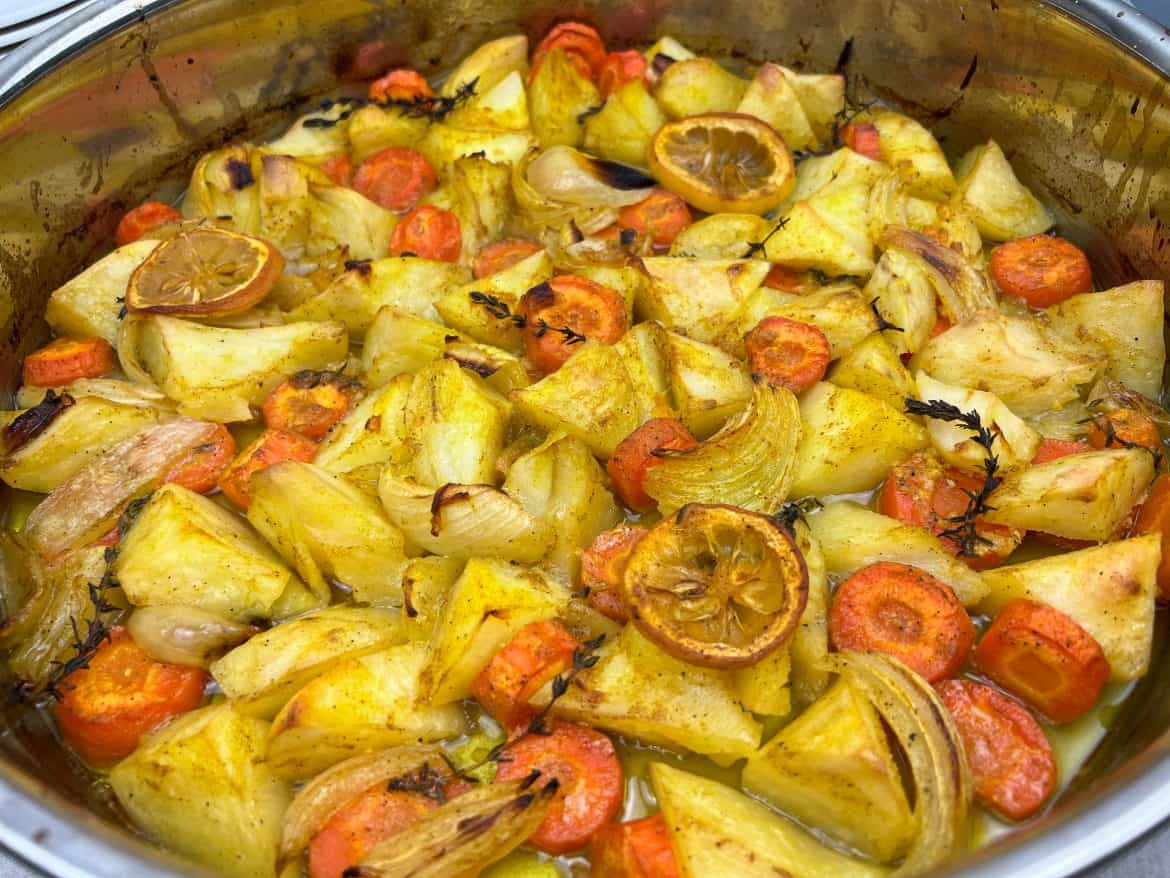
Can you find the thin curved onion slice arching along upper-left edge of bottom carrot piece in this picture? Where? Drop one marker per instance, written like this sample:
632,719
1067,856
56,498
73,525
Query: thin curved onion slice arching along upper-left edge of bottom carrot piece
327,793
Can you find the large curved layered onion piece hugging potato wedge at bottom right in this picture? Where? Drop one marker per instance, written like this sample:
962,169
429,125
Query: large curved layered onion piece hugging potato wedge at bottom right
933,747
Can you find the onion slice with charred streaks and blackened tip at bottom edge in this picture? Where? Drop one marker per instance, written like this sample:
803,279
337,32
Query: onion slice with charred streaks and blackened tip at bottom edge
464,836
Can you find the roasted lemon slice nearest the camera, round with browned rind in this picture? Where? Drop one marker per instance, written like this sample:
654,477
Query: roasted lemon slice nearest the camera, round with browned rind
717,586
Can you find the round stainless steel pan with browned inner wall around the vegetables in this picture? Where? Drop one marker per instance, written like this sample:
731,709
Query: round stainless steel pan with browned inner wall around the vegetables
115,105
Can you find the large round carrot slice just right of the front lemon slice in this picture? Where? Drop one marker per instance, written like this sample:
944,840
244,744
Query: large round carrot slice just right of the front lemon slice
904,612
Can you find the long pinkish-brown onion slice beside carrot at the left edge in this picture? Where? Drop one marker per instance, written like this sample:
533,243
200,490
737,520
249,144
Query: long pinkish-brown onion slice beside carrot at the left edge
86,506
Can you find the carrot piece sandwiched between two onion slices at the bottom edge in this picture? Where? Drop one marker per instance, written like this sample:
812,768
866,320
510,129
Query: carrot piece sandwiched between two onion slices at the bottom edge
362,825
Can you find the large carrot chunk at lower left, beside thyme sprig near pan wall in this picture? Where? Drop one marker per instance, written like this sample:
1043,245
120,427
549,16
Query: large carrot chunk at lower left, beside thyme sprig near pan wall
107,708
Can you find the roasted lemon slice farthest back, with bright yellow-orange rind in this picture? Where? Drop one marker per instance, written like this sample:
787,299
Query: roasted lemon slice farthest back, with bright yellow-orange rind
724,163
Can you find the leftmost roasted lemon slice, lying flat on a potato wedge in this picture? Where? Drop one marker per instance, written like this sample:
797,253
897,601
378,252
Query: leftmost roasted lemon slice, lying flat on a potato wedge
205,272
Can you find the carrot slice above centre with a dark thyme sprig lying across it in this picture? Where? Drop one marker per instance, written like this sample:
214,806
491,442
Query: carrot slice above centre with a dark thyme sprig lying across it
565,312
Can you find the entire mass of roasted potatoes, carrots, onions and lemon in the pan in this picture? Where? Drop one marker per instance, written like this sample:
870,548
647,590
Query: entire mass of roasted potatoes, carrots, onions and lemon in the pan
593,463
